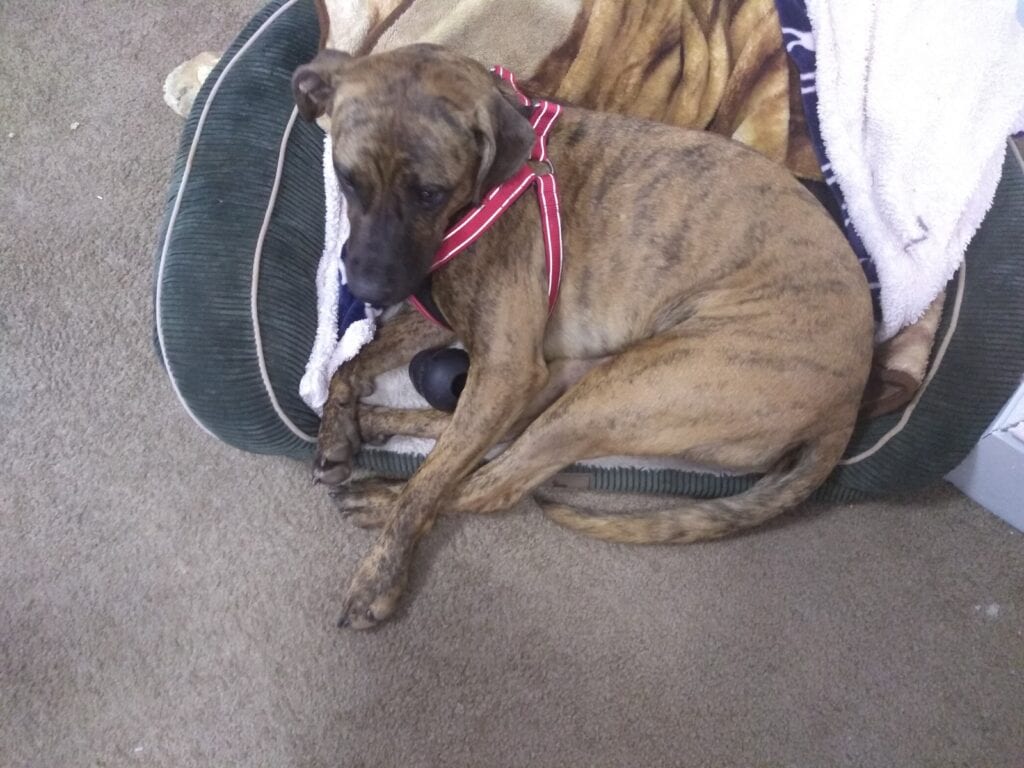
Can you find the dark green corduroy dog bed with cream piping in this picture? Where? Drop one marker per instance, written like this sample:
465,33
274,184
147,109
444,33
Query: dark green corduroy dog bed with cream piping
236,307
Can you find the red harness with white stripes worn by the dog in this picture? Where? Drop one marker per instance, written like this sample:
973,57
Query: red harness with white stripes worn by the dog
468,230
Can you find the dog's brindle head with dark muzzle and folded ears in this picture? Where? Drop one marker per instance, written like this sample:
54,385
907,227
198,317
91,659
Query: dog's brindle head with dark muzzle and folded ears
419,134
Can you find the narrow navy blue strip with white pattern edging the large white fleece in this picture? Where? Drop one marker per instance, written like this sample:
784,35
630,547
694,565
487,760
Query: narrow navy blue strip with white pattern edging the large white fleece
799,39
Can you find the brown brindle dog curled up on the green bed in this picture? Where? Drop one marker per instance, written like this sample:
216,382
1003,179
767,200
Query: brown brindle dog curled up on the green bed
710,310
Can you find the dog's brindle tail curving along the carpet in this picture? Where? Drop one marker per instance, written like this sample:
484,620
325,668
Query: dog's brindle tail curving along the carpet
784,488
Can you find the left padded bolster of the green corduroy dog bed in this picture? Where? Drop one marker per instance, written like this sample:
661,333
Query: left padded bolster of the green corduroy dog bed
240,242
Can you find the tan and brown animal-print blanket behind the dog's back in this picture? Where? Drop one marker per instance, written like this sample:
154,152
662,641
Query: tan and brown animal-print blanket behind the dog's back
714,65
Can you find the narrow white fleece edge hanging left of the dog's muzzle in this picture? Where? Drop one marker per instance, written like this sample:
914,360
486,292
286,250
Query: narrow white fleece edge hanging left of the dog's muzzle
329,352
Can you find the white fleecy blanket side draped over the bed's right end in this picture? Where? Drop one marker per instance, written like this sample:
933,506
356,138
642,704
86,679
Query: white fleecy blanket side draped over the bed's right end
916,101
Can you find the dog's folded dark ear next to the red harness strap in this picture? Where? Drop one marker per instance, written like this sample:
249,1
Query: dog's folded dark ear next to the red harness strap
505,139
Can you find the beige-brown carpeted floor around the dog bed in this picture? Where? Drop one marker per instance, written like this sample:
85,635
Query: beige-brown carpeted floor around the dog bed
168,602
